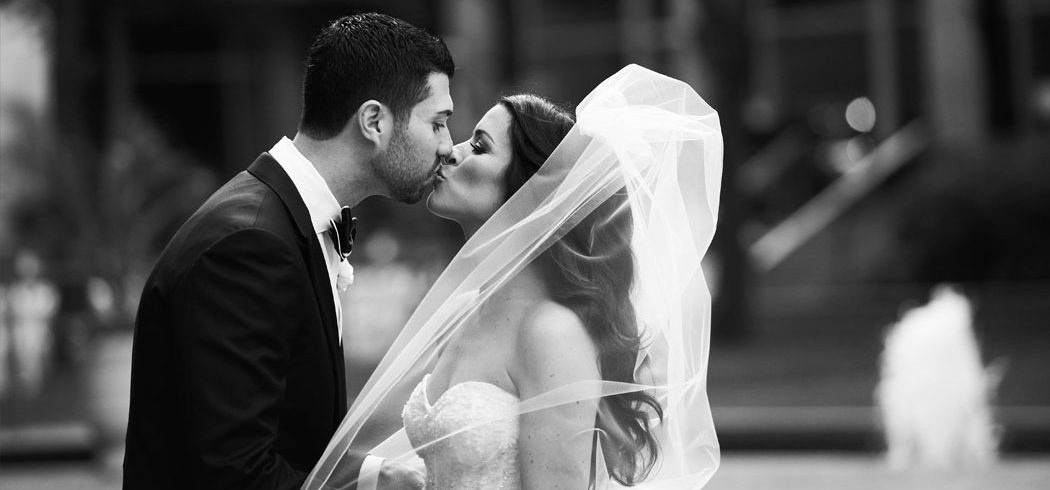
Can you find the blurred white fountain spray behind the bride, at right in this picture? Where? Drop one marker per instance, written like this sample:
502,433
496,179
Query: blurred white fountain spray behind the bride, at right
935,395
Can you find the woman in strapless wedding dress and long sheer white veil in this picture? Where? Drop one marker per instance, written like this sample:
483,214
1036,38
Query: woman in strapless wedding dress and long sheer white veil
566,346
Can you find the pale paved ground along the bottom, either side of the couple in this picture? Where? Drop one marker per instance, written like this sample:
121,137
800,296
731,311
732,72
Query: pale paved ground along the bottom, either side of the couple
812,472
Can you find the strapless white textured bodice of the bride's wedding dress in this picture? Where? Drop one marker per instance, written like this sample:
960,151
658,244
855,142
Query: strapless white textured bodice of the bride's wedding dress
482,458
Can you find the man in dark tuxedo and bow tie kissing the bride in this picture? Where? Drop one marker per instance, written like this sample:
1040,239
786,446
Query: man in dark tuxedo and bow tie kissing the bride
238,372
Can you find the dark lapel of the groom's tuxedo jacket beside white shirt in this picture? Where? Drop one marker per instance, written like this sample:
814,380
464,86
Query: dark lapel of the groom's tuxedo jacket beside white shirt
269,172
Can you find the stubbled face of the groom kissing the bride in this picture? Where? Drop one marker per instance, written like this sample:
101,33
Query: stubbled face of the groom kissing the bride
419,145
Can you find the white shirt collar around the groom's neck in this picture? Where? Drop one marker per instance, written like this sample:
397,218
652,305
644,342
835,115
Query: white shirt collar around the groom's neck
313,189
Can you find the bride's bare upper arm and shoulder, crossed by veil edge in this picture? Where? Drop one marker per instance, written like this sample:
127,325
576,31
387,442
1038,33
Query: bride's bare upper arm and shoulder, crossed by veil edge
555,444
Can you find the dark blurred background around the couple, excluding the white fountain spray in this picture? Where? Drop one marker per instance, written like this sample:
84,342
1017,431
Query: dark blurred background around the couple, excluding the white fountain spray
874,150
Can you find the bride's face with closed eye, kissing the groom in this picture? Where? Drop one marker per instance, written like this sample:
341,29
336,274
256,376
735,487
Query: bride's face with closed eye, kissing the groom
470,188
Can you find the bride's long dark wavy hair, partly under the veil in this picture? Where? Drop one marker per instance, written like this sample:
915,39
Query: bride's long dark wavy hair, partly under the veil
591,271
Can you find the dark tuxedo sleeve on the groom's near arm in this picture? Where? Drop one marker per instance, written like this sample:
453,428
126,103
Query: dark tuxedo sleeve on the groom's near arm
235,335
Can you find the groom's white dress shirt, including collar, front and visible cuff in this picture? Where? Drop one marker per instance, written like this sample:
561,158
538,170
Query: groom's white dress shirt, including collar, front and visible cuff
323,207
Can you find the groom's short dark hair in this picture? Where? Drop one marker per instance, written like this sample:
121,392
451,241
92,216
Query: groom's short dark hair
368,57
